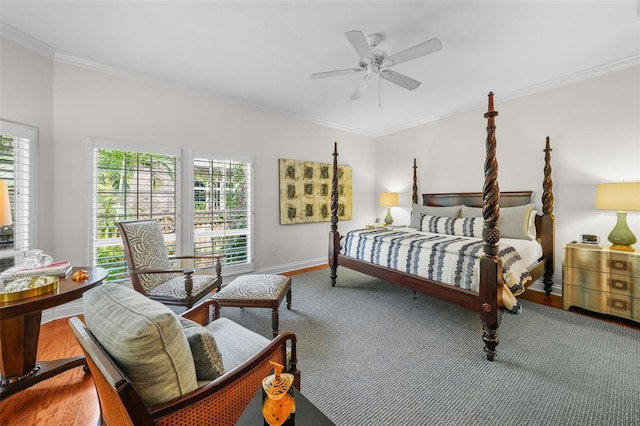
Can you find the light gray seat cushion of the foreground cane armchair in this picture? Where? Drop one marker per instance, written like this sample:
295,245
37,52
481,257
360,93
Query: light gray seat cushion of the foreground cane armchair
235,343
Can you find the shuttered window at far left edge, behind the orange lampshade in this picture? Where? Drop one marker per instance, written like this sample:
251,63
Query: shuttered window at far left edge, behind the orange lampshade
17,167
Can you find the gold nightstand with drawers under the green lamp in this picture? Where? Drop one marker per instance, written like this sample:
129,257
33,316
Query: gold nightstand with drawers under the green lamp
601,280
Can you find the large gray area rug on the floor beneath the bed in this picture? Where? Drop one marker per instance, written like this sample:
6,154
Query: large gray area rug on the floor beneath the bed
370,354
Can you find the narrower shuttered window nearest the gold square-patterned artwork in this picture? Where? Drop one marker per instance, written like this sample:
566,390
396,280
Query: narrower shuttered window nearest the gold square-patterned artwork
222,210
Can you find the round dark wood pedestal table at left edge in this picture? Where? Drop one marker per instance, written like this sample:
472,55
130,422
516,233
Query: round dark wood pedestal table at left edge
20,330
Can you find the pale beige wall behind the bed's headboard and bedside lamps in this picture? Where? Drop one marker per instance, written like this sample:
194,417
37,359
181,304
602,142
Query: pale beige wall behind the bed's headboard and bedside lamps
594,126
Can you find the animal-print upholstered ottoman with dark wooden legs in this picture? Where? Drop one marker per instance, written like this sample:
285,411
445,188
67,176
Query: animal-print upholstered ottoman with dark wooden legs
257,291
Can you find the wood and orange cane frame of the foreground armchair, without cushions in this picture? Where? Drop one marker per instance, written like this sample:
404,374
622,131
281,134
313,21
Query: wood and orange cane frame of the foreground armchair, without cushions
218,402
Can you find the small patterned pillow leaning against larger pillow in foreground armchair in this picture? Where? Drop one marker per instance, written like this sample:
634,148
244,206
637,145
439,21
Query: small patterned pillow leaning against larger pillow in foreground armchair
207,358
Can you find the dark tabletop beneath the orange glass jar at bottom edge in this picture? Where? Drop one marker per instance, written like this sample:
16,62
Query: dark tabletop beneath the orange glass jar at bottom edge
307,414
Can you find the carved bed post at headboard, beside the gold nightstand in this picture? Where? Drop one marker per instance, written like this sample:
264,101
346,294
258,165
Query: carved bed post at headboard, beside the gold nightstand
548,220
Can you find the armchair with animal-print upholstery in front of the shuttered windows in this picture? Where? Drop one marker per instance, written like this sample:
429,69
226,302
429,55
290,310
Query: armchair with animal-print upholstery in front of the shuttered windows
151,270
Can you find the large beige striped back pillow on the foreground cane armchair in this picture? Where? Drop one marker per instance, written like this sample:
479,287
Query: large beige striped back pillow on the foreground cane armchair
145,340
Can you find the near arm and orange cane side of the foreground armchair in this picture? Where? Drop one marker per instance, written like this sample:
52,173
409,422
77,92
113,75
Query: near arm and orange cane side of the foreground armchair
227,396
